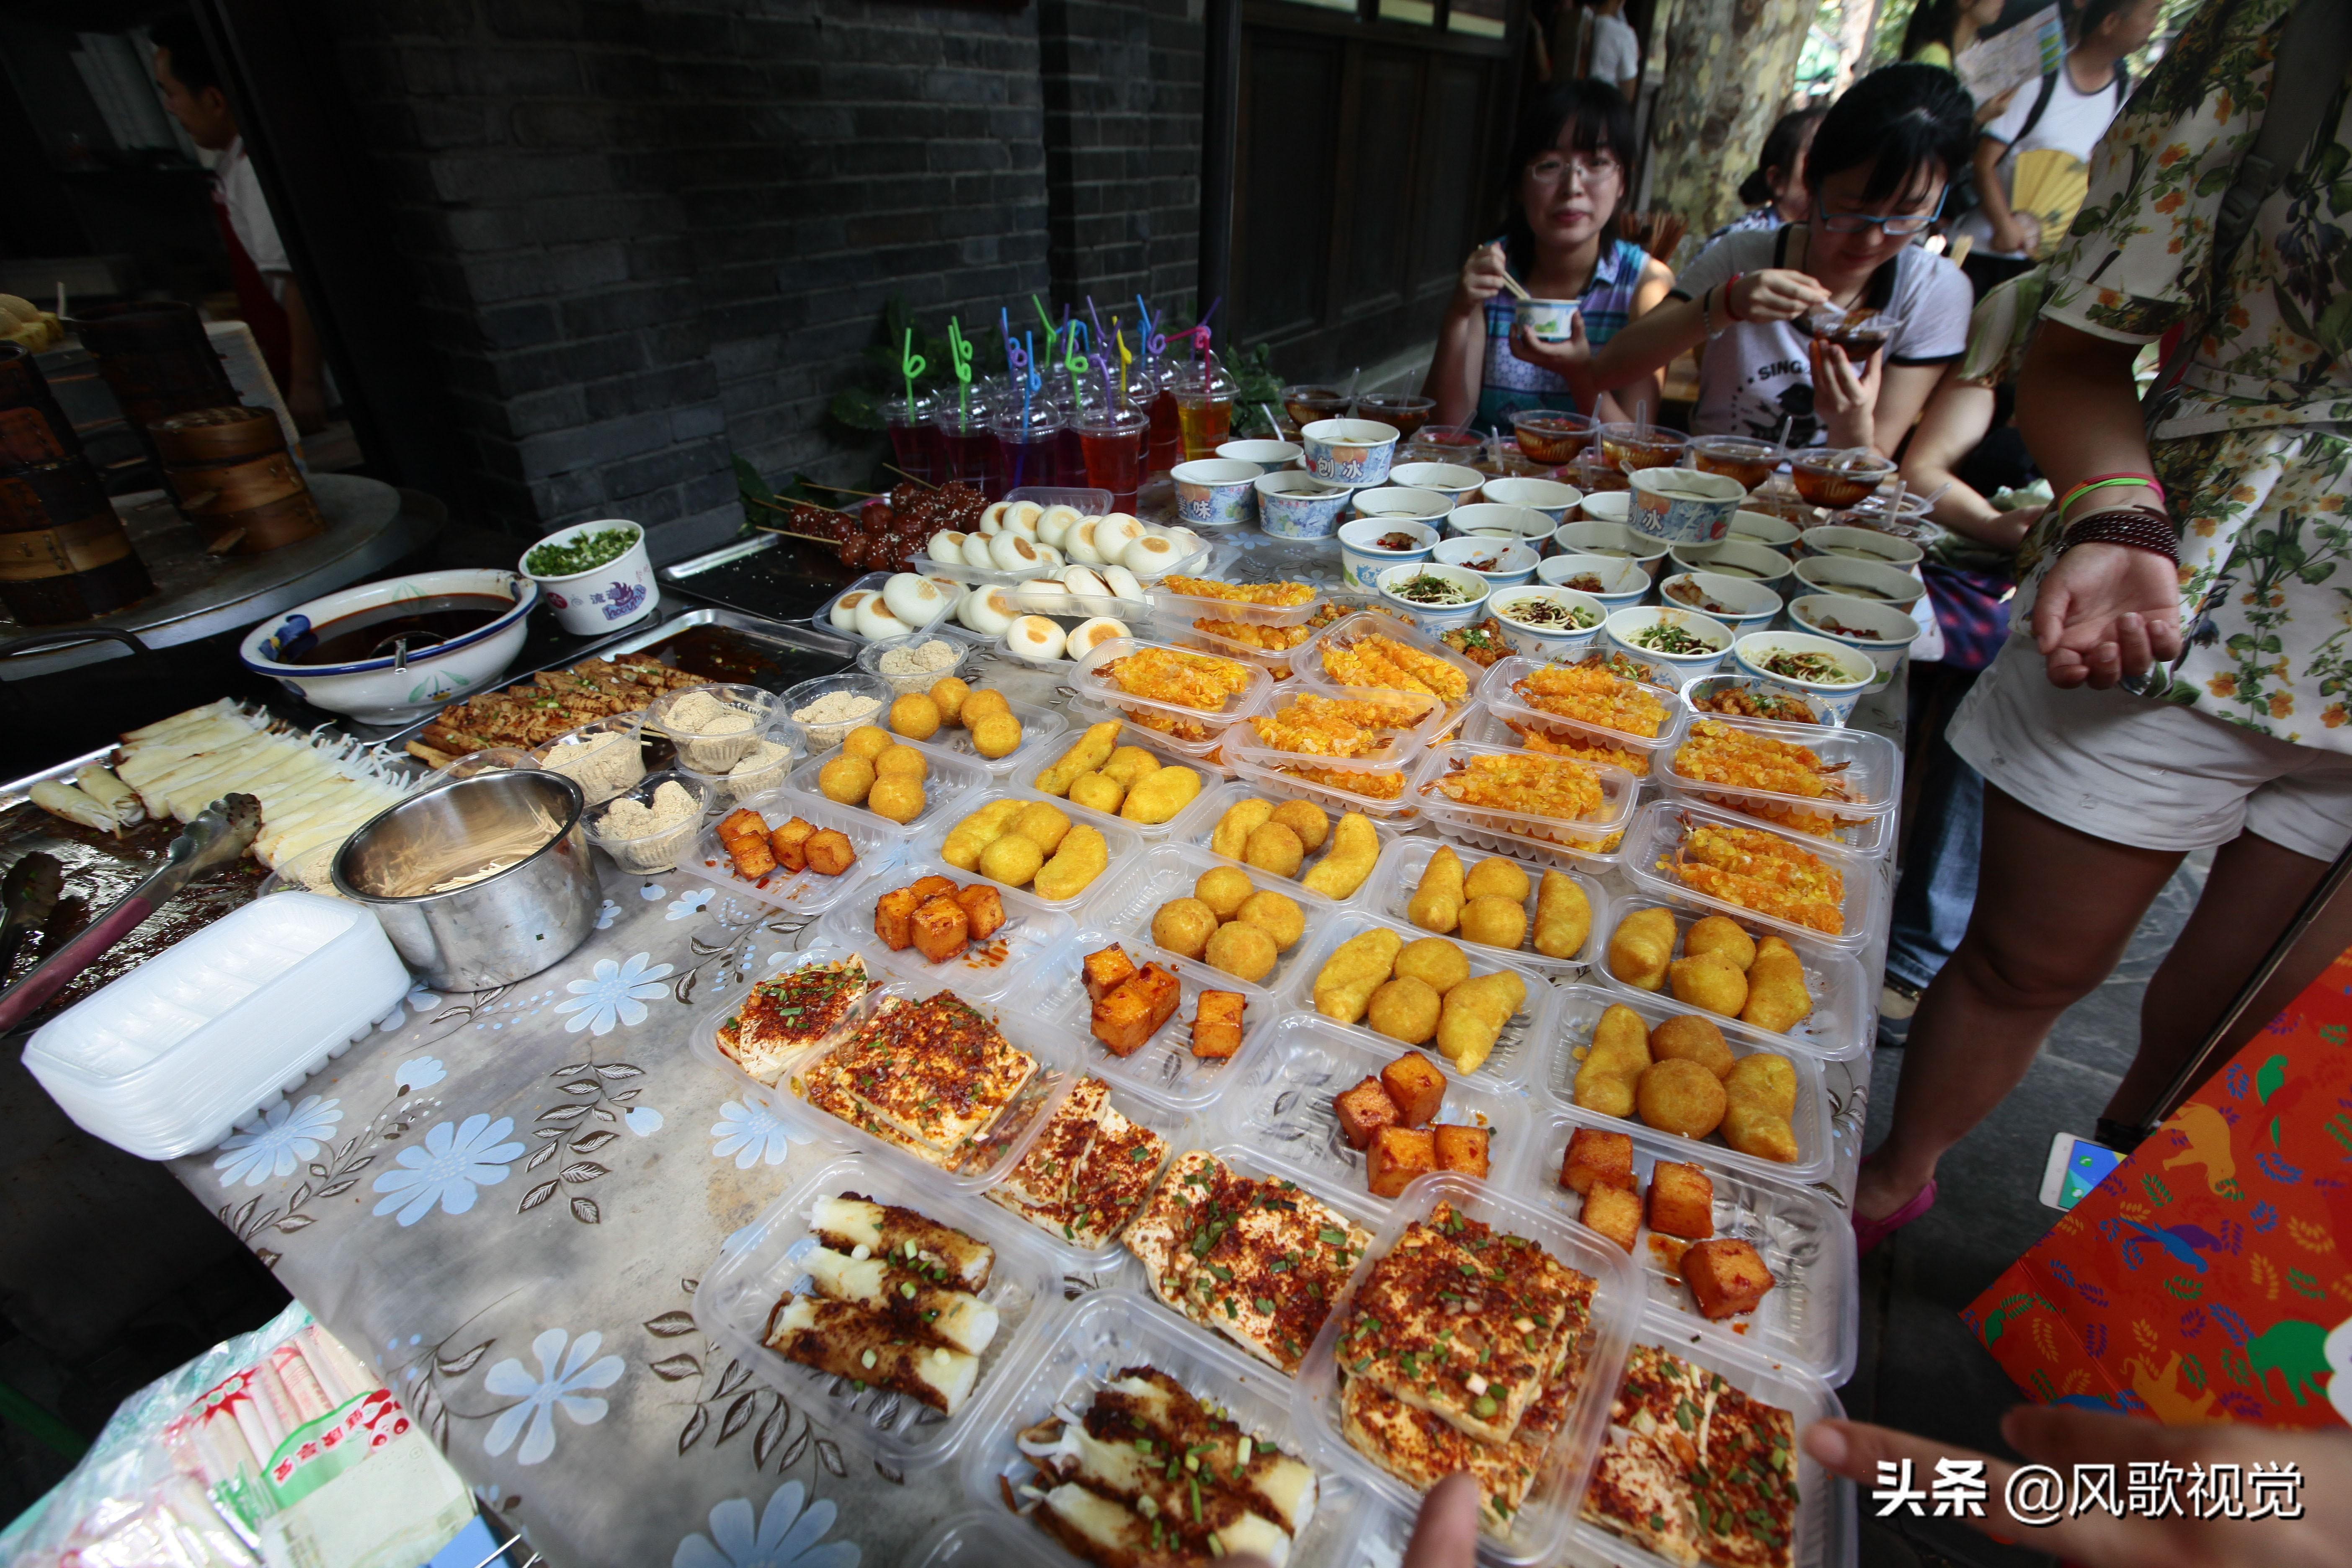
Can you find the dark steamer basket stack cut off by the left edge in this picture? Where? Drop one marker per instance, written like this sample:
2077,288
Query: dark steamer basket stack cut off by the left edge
65,556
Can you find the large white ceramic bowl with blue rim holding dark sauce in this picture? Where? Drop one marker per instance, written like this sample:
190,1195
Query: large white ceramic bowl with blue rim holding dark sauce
394,690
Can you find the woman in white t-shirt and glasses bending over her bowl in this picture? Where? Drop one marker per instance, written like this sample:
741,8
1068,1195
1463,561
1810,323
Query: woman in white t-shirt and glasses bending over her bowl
1878,173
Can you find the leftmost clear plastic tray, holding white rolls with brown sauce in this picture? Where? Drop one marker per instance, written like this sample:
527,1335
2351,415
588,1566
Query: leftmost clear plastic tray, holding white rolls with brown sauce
742,1289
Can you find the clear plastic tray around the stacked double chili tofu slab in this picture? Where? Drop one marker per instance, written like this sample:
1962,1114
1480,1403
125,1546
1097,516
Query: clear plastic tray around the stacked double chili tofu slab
1544,1522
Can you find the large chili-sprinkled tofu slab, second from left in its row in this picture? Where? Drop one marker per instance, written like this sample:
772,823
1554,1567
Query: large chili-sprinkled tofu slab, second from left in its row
933,1073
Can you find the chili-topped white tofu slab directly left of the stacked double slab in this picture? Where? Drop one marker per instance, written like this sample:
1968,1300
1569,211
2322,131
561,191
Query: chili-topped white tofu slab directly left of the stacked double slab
1259,1261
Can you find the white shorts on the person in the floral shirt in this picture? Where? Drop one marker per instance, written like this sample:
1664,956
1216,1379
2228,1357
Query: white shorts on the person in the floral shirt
2146,775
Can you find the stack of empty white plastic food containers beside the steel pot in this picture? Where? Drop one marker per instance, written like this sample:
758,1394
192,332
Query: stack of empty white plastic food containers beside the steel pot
166,1059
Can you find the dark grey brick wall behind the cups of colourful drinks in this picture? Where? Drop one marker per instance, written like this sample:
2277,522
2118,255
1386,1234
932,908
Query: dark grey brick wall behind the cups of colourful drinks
648,234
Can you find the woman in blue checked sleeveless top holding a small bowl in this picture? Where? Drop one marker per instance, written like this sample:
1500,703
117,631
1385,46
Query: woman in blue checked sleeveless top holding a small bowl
1568,182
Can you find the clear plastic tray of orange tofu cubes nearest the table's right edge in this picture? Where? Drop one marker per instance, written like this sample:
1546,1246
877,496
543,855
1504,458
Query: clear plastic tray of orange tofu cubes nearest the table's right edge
1812,1318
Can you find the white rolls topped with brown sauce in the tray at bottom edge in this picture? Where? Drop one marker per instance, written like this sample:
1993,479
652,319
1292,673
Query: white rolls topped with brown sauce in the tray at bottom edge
1151,1475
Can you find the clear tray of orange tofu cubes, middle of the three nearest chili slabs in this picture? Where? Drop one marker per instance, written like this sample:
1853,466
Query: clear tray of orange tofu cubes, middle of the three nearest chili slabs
1285,1106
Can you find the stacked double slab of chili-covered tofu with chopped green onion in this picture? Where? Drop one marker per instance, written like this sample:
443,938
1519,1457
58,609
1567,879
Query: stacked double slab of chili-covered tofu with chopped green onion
1466,1322
